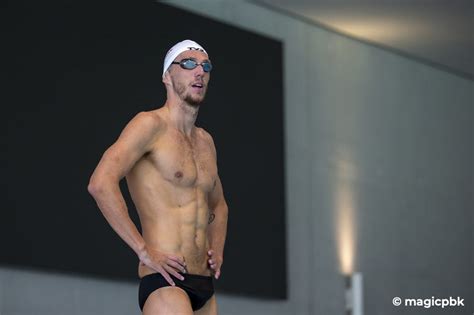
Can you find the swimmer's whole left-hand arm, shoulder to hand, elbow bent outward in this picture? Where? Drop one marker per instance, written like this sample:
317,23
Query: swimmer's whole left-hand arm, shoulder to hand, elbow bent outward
135,140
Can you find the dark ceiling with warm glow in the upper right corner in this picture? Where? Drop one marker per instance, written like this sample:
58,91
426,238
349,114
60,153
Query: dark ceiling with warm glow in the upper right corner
437,32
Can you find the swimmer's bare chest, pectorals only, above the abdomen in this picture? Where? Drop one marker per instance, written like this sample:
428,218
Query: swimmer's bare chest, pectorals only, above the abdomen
185,162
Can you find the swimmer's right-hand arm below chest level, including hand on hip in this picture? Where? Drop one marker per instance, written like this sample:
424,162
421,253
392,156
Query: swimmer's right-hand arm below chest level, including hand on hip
217,229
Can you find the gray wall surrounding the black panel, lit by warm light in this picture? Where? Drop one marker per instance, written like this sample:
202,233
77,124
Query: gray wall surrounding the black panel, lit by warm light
379,152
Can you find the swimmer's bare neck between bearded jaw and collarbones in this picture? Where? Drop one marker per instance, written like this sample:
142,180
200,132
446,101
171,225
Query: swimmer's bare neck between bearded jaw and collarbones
182,115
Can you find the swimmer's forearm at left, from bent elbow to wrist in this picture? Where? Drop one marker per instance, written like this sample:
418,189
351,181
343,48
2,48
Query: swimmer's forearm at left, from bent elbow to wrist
114,208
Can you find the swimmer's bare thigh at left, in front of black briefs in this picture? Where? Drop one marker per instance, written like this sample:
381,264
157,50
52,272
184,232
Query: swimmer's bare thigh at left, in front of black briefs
168,300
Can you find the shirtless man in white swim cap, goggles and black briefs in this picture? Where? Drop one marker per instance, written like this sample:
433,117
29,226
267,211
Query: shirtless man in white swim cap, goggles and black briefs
171,172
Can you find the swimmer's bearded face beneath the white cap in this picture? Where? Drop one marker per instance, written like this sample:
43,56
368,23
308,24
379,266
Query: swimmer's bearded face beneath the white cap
190,85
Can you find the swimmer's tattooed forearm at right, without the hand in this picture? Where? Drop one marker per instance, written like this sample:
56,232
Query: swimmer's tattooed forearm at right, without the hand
218,229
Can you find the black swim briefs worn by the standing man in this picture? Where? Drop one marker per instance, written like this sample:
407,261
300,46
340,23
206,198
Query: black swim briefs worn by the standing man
199,288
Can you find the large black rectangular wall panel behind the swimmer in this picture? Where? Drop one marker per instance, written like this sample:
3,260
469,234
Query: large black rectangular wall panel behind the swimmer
75,74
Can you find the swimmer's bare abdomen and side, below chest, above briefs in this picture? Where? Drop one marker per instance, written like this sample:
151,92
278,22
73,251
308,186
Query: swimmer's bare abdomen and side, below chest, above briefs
174,219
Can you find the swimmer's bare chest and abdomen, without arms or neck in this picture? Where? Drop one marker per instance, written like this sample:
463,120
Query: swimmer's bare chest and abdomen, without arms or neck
169,186
